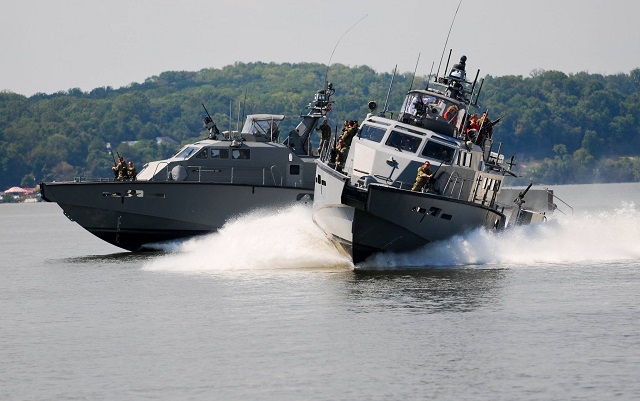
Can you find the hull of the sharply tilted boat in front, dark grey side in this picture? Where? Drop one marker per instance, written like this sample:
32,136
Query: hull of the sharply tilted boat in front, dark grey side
362,222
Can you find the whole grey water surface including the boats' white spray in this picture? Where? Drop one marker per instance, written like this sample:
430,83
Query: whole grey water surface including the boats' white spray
268,310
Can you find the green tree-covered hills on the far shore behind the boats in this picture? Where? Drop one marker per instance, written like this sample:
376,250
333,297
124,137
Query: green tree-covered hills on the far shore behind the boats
561,128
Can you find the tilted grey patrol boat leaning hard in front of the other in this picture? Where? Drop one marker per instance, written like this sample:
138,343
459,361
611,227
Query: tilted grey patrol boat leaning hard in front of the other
366,204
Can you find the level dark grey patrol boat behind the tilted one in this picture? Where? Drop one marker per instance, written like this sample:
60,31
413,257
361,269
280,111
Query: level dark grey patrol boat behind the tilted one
204,184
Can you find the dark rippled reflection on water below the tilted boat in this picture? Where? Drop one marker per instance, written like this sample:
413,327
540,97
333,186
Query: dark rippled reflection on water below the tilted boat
426,290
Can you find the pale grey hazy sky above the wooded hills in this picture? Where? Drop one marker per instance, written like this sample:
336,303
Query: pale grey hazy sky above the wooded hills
50,46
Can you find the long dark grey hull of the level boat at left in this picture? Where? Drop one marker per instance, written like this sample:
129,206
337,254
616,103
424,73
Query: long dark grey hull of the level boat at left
135,215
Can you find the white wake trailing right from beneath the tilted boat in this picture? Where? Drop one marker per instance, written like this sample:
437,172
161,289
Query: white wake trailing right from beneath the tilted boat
601,236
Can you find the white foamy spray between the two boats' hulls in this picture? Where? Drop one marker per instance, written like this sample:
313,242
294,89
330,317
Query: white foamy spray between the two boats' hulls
285,238
